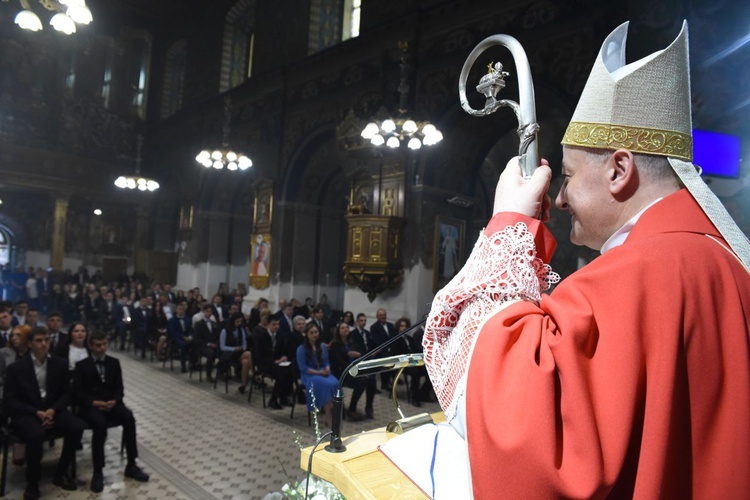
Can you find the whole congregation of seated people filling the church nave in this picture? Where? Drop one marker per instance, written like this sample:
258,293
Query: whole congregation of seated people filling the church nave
300,350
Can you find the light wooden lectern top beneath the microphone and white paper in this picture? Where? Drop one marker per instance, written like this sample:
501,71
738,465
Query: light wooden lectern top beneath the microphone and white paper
362,471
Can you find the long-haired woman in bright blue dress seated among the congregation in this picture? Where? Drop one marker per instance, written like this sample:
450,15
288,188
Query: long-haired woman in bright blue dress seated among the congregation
315,371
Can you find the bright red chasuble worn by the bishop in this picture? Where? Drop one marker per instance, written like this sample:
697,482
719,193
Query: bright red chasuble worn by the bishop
632,379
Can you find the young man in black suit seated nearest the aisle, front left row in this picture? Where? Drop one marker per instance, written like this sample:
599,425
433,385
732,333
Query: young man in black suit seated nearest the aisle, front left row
98,389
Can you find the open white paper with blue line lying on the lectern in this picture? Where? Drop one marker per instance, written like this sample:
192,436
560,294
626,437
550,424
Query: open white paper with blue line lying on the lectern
412,451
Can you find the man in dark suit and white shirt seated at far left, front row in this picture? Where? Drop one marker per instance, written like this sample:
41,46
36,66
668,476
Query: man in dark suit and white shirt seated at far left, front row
36,398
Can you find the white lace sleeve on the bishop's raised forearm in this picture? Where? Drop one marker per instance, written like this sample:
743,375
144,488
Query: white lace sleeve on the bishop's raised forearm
502,267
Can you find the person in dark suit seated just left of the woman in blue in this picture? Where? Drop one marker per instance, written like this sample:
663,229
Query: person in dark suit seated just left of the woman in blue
263,341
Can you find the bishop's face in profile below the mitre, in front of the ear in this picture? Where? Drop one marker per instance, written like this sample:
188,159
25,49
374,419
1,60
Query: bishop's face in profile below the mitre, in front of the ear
585,194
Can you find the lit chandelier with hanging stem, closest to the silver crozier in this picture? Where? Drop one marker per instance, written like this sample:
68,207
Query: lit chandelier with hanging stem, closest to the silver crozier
402,130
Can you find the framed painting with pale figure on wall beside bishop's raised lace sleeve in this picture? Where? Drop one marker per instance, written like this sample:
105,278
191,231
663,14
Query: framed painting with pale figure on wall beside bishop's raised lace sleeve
448,250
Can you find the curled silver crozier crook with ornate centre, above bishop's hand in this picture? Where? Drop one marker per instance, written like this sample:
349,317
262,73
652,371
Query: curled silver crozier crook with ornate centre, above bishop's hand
491,83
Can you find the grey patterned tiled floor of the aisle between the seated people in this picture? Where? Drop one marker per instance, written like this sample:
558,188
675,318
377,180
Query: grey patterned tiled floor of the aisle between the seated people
200,443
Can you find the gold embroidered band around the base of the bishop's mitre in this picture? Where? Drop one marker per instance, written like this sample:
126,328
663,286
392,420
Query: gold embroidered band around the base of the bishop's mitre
636,139
